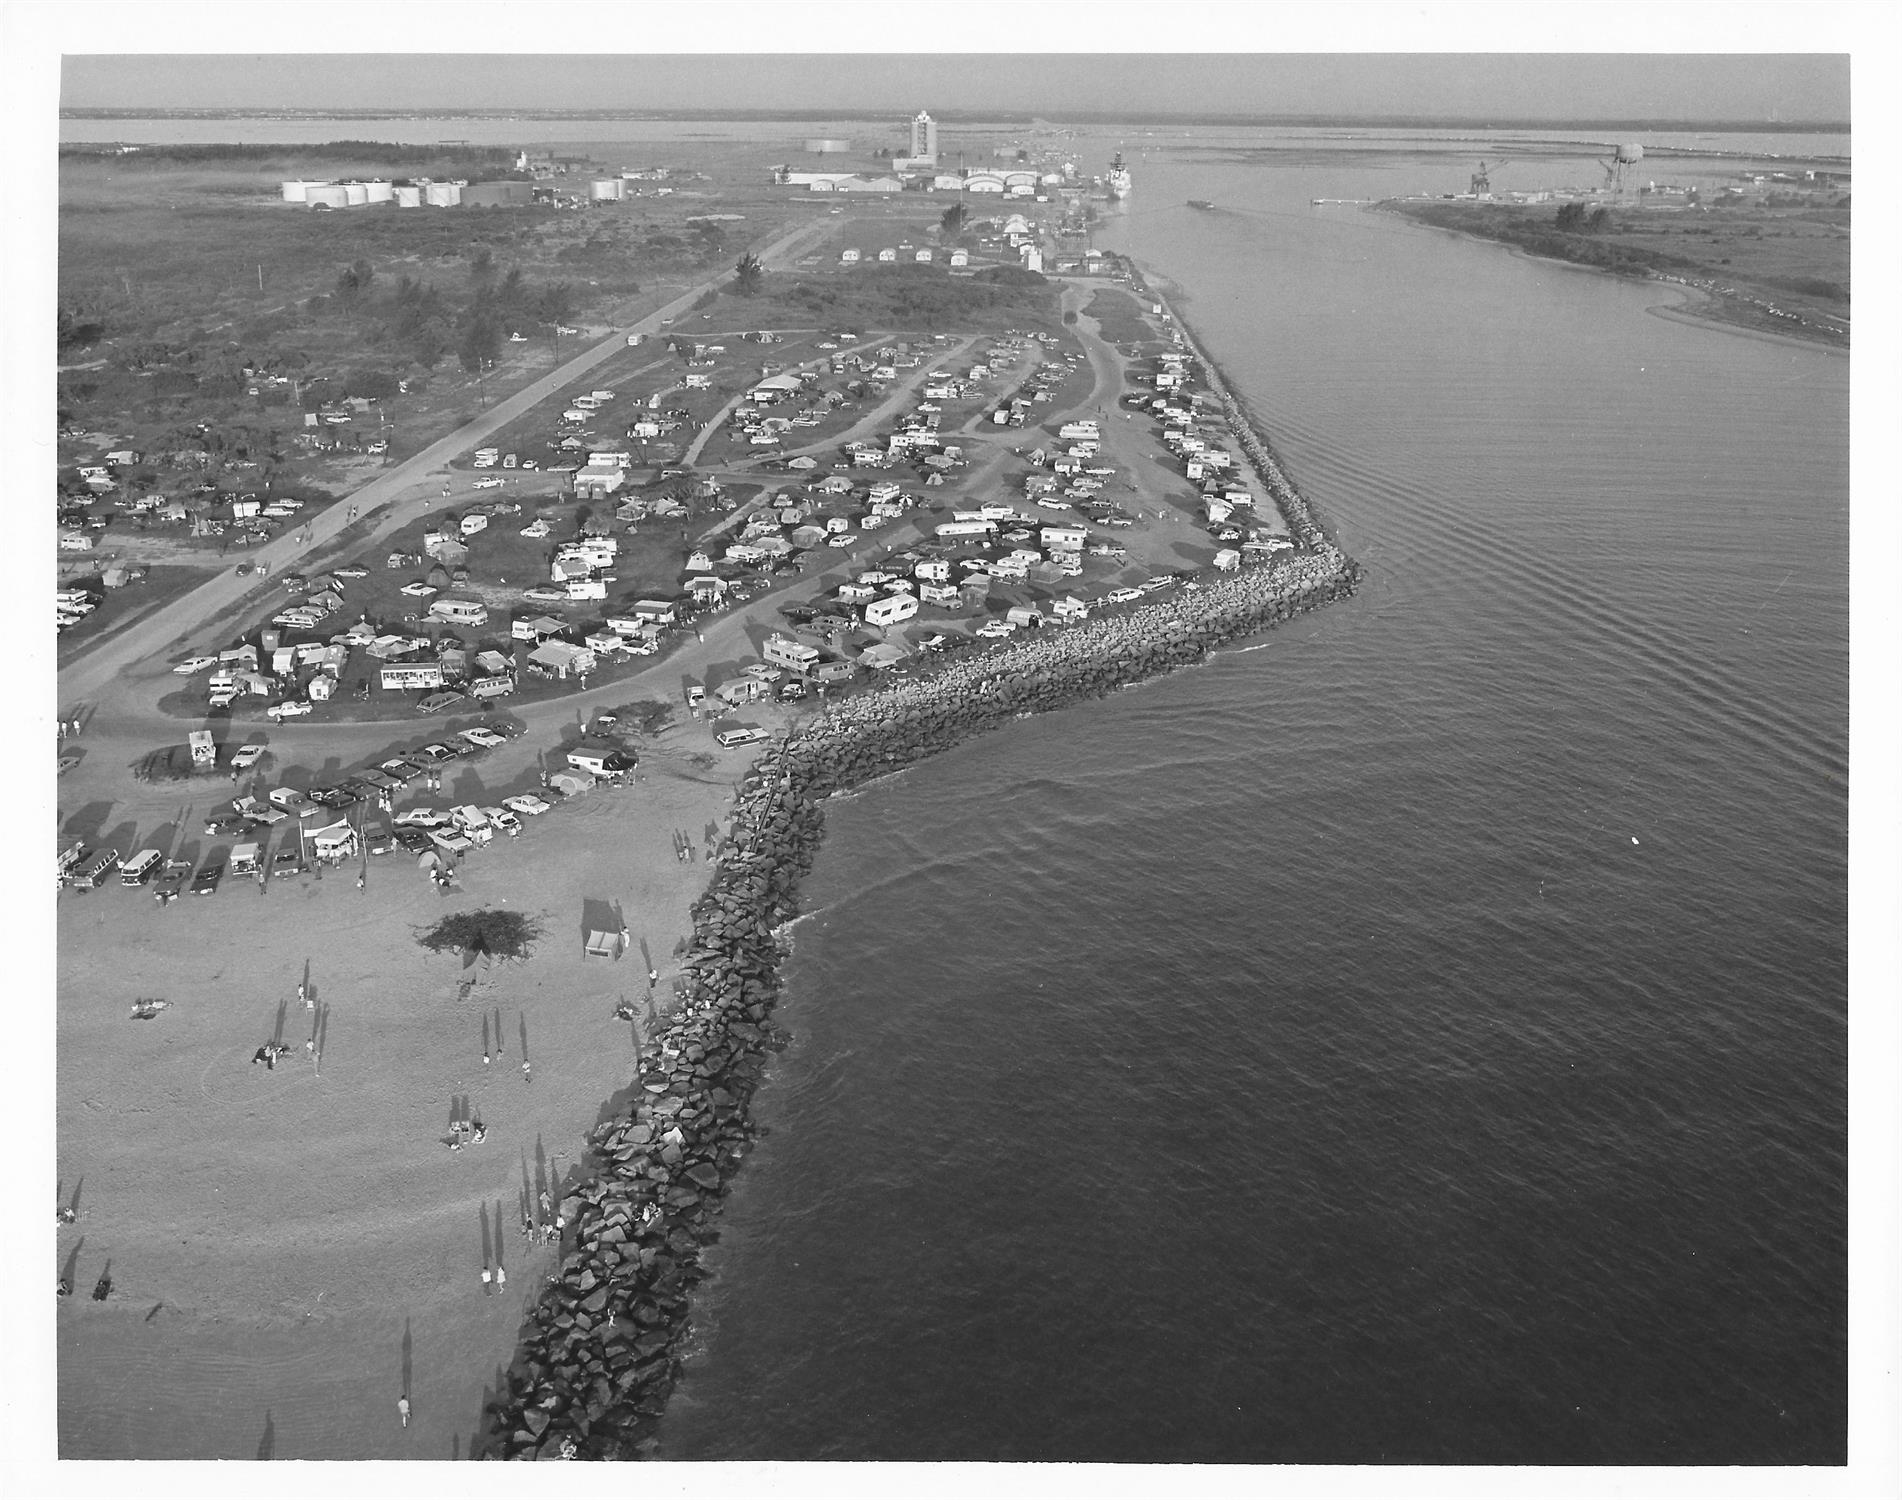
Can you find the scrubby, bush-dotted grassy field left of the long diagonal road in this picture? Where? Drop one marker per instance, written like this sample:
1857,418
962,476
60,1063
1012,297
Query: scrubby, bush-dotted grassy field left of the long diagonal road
170,343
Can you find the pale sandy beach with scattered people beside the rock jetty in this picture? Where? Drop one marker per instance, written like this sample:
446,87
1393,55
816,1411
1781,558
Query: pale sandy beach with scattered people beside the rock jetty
288,1244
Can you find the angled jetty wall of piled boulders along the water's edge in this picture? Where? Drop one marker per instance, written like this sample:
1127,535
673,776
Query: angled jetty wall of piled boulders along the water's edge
585,1383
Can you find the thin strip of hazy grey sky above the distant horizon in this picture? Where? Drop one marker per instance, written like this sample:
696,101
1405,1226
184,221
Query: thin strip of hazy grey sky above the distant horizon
1507,87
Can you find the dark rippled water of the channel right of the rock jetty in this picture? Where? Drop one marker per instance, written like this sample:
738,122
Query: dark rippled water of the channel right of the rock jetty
1414,1037
